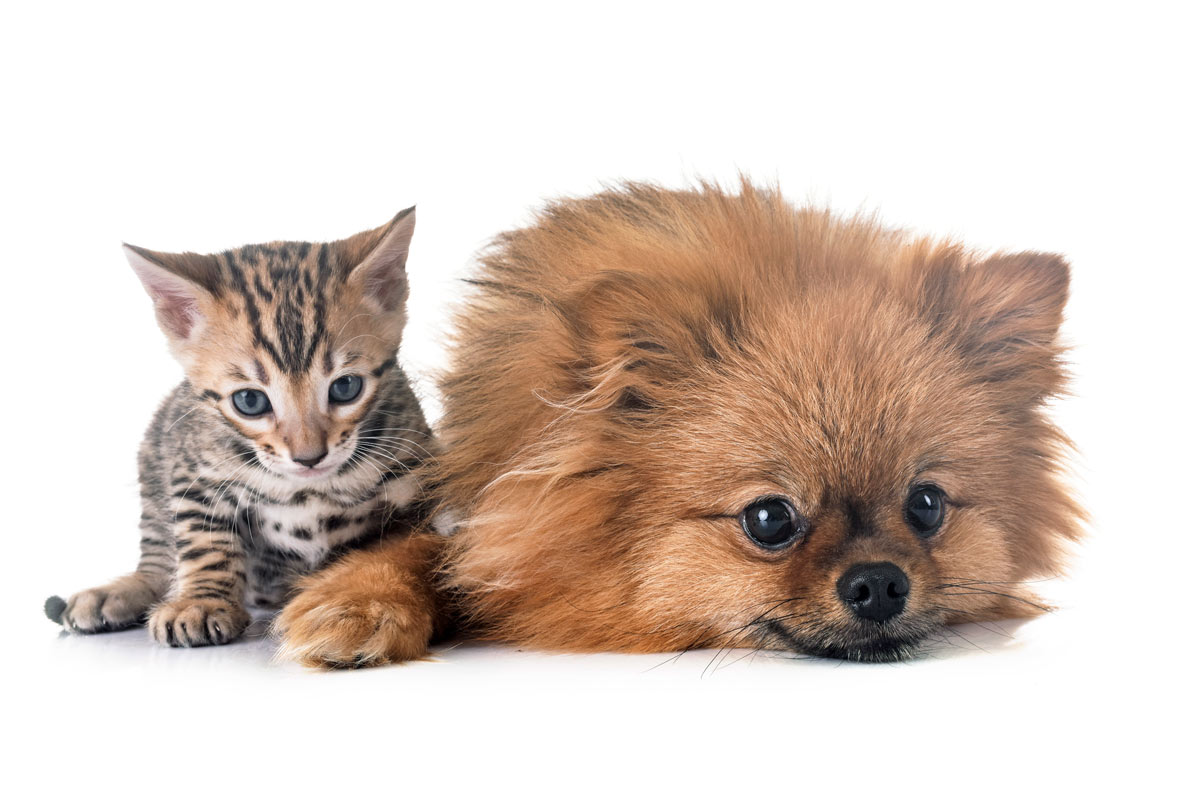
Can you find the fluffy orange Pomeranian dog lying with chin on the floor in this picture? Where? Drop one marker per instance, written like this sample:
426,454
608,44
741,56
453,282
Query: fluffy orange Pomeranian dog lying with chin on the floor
683,420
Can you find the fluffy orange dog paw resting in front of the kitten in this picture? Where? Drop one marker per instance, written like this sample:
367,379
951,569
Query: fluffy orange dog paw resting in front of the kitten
339,624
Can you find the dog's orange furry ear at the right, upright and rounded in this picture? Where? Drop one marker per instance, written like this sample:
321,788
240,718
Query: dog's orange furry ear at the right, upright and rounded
1004,315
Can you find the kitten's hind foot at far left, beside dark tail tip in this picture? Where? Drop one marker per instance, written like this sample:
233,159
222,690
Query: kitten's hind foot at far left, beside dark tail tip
121,604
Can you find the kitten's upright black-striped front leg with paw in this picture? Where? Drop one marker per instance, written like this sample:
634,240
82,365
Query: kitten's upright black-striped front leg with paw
211,580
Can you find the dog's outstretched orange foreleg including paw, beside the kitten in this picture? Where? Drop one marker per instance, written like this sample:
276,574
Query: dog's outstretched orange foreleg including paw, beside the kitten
373,608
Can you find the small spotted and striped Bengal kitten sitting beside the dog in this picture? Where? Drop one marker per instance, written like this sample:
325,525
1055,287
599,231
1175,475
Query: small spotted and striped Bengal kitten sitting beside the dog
292,440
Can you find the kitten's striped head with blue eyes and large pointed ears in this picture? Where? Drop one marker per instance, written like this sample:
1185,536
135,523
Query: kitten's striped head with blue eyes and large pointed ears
289,341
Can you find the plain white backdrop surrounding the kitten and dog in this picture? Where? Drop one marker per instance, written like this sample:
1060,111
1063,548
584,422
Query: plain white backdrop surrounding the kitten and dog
205,127
